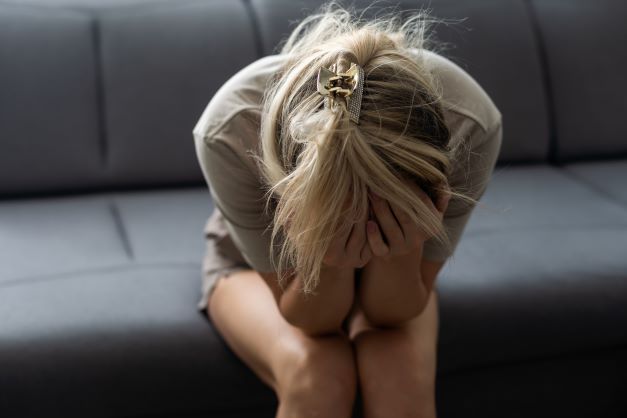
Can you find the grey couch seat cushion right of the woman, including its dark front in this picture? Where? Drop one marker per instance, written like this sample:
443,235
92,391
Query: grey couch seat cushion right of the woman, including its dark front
540,271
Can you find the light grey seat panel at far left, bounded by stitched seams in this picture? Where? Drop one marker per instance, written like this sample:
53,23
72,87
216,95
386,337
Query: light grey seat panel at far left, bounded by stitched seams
48,236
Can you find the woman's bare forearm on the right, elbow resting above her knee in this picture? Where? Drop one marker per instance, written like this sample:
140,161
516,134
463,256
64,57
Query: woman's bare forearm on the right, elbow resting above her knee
392,290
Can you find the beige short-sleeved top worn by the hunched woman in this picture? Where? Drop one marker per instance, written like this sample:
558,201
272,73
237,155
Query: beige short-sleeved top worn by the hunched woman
229,128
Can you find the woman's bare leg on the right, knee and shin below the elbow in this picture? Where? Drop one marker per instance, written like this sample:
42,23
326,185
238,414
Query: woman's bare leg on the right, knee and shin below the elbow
397,366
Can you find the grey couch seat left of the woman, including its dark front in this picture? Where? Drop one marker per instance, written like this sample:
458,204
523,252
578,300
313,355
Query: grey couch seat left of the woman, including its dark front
102,289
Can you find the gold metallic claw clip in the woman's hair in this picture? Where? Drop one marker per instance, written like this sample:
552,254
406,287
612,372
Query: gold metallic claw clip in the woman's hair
345,88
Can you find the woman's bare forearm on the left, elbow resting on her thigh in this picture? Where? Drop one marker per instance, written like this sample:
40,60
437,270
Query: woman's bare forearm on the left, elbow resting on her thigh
325,311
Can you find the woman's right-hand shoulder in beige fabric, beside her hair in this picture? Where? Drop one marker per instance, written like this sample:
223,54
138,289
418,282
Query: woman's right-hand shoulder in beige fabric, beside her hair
462,96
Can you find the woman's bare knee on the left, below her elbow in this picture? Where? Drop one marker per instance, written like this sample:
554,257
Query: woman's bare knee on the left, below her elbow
321,375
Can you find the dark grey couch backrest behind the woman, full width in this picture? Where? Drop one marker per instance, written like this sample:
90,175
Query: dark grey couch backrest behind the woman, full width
104,94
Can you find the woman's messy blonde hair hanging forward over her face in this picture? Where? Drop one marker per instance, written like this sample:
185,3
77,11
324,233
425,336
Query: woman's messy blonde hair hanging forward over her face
314,158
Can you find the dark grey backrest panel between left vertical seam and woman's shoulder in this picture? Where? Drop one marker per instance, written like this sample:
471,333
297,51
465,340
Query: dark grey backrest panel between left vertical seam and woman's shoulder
158,80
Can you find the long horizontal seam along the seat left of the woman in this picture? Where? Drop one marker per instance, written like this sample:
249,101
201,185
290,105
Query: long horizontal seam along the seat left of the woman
80,273
